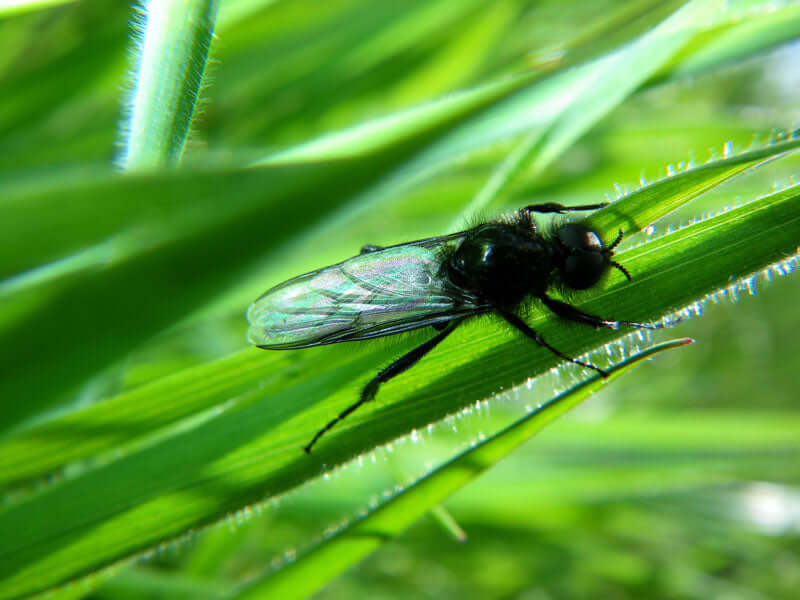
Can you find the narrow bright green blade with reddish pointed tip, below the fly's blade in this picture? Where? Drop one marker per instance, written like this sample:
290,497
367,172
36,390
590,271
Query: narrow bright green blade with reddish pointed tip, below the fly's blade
330,558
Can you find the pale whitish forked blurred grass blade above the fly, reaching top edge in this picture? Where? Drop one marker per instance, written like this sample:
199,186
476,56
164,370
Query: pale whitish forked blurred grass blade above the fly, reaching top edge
563,107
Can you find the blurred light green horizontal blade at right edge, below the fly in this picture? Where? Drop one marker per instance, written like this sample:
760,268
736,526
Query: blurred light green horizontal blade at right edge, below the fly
656,452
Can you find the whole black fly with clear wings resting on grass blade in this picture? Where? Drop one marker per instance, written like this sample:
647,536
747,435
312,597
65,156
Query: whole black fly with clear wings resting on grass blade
438,282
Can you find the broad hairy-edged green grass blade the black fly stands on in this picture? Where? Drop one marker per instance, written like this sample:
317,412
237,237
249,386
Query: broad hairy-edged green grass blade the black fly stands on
252,451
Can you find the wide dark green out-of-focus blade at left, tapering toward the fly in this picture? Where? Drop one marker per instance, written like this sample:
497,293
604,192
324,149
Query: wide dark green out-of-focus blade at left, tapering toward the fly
164,243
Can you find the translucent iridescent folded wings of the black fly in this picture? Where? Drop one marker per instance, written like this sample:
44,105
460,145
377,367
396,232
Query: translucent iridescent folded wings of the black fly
375,294
